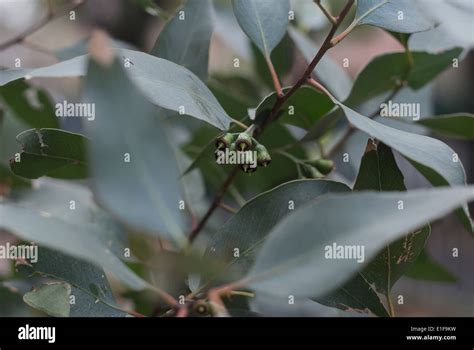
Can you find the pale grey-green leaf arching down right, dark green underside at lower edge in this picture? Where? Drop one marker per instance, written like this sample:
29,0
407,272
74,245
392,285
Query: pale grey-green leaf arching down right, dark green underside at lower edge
433,158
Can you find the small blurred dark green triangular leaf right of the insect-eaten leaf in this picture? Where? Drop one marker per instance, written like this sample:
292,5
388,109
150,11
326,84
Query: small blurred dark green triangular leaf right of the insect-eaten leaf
425,268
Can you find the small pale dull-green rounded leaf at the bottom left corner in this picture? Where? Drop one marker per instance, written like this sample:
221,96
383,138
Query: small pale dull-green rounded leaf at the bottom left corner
52,299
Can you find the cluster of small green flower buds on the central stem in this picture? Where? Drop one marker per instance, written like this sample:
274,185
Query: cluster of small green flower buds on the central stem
243,142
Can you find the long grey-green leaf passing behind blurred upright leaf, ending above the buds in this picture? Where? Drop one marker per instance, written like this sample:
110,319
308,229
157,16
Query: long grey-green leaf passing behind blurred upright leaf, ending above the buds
164,83
